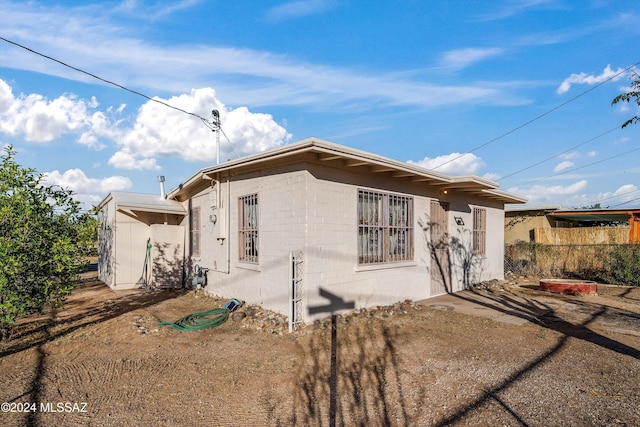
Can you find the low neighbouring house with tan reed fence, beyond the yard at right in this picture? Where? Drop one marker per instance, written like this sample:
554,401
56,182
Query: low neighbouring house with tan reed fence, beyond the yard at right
559,225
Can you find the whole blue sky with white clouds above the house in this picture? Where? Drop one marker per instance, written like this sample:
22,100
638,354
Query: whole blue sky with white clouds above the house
524,88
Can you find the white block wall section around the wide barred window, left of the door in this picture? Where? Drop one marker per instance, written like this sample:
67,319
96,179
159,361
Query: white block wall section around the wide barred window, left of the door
332,247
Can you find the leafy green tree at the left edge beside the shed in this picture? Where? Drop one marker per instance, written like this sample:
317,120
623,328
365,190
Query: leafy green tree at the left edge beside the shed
40,227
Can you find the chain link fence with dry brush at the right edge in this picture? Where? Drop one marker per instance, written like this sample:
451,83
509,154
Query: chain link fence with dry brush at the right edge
619,264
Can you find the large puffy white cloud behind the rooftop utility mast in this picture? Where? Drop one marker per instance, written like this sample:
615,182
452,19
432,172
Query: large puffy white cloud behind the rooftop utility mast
160,131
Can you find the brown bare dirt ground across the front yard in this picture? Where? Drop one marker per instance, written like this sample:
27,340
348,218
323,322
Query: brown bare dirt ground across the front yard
103,360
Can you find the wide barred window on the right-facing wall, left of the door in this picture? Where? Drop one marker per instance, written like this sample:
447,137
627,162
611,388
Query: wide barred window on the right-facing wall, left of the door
385,227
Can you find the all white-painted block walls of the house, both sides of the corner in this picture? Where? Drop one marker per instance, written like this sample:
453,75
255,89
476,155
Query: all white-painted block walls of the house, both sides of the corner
315,212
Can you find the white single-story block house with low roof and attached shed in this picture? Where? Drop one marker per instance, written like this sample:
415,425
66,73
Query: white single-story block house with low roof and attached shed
311,228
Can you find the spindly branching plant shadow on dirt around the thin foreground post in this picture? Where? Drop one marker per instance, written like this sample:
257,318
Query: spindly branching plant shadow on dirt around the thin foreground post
370,388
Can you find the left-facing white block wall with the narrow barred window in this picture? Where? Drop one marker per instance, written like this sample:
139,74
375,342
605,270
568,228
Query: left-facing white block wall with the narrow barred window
282,228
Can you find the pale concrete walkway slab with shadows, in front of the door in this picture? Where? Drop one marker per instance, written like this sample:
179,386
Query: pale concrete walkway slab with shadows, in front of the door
505,308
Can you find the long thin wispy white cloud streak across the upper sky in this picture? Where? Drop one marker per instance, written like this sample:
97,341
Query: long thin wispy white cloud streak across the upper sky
250,77
